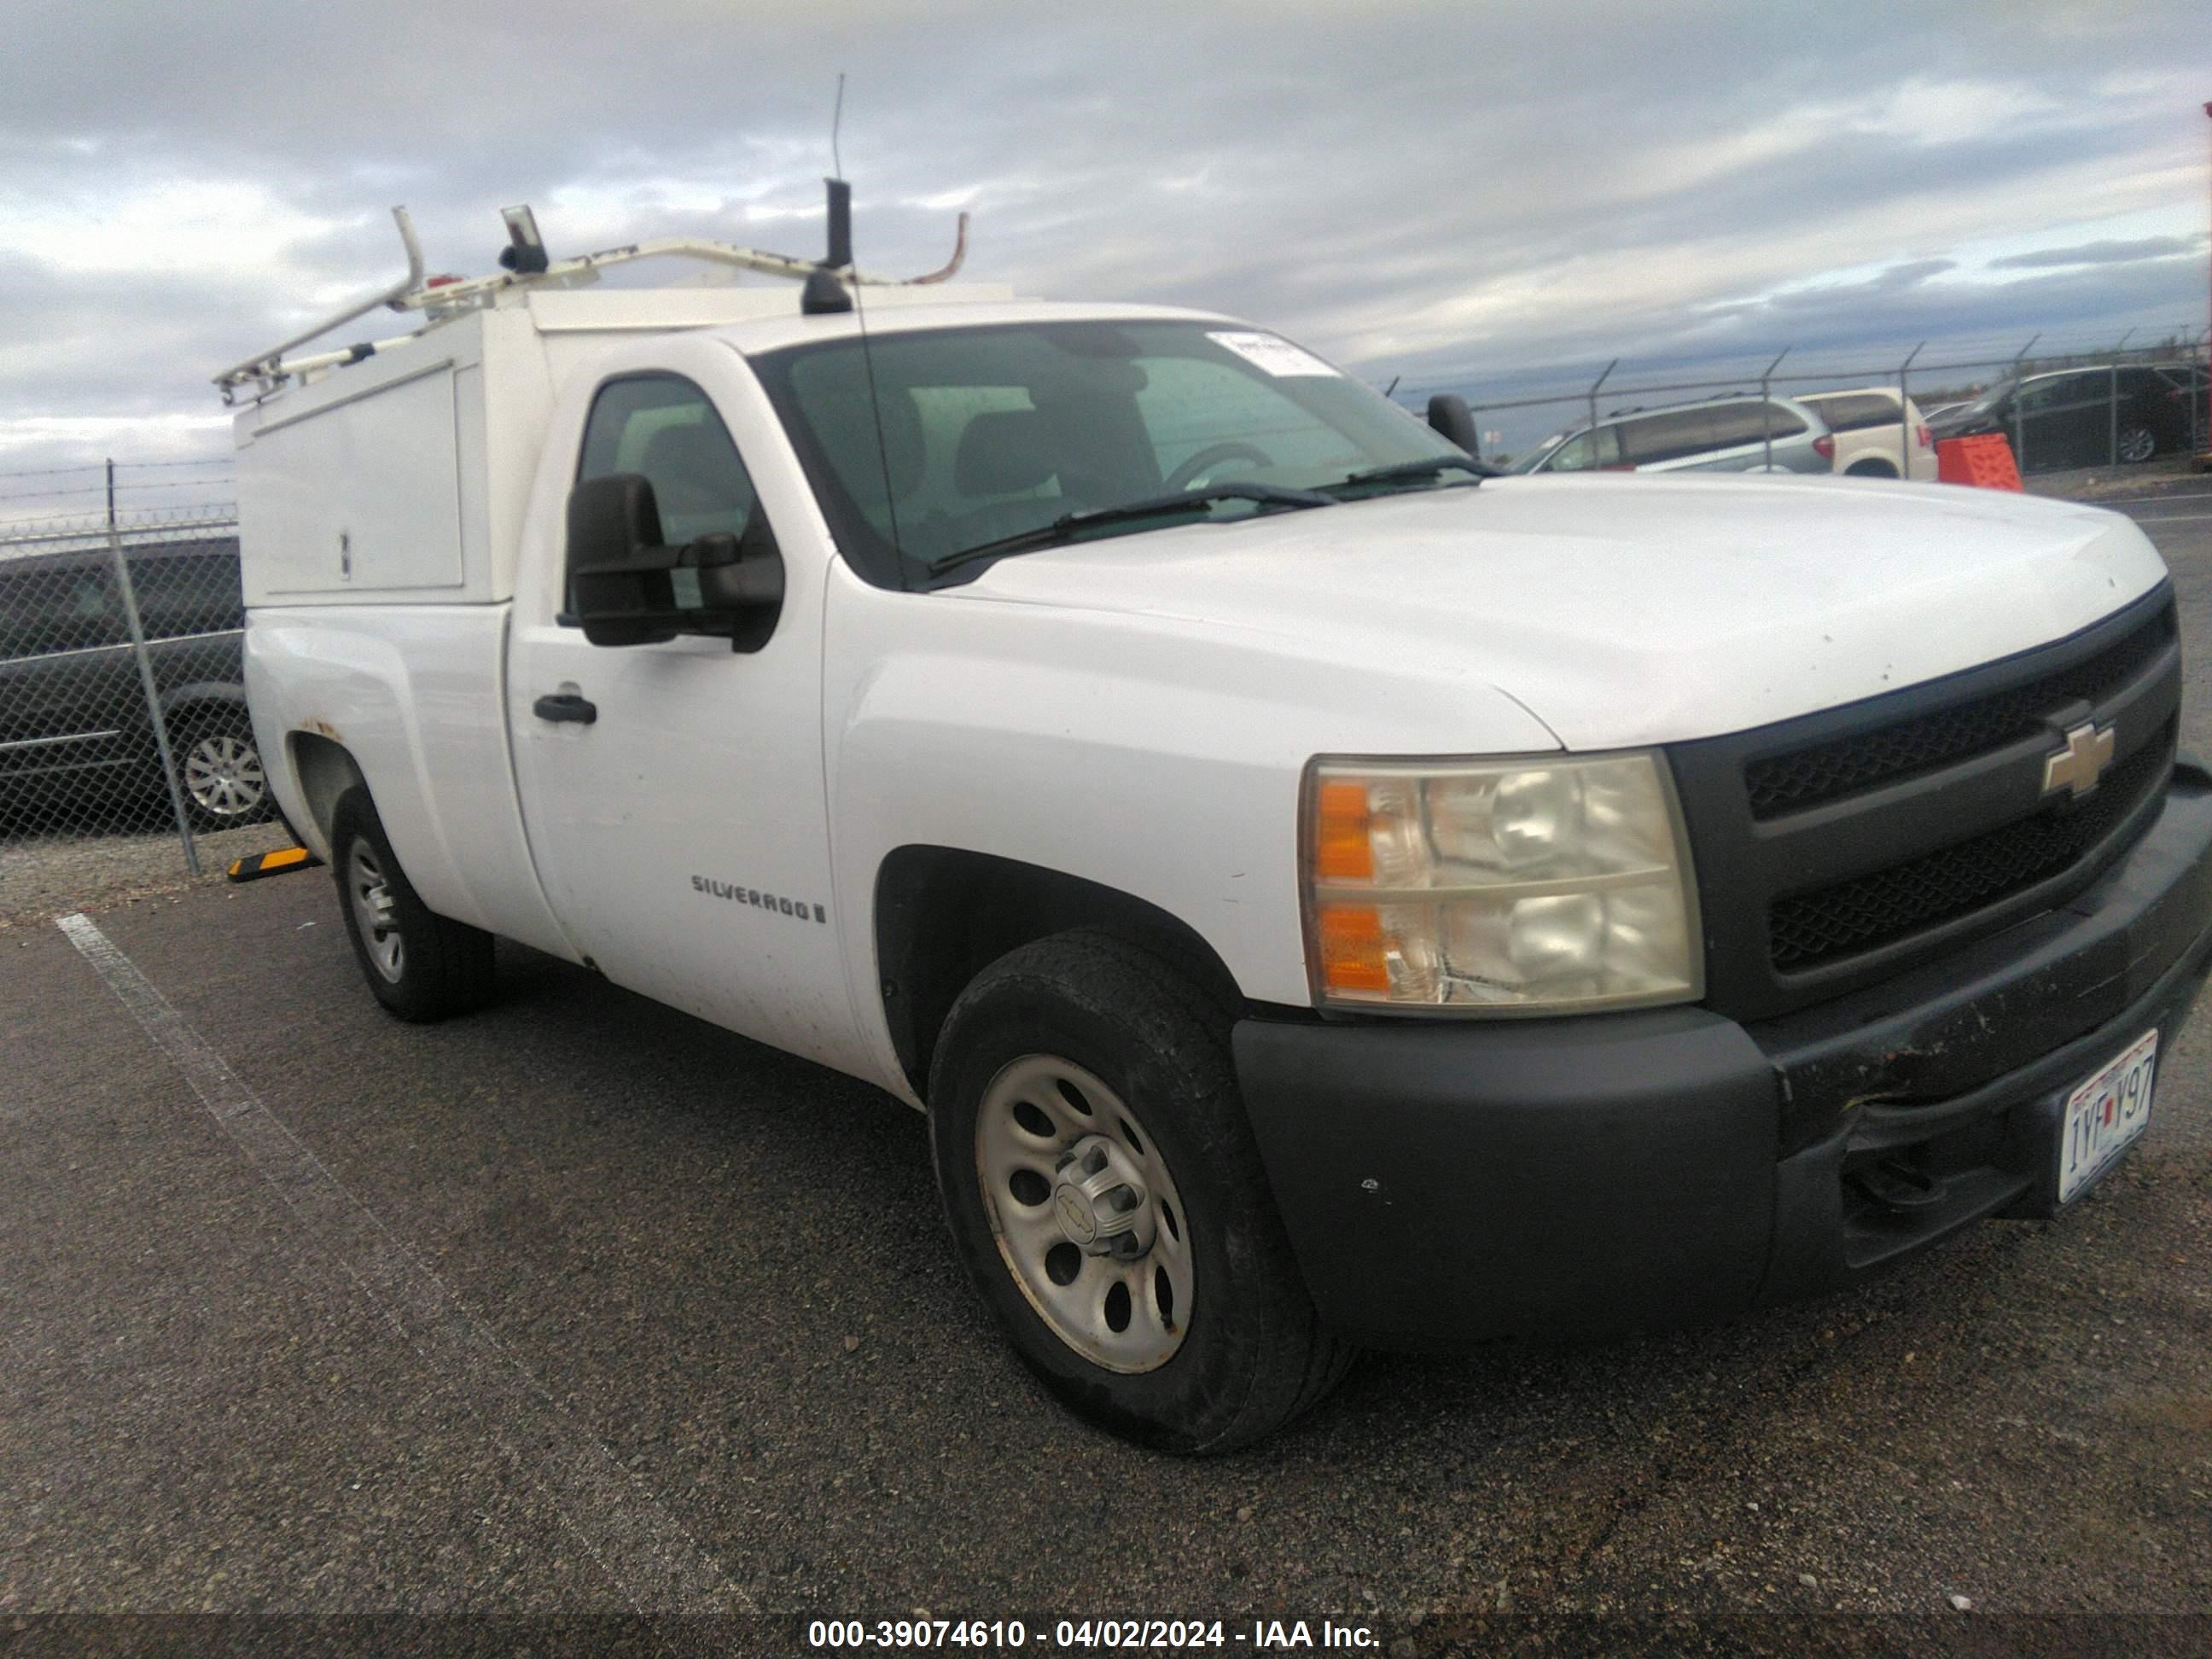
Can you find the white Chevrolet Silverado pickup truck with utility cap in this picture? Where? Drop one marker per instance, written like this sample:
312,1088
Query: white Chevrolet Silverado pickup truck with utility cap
1322,895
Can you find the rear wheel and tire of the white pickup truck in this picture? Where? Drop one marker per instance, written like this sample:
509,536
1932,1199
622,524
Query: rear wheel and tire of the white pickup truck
419,966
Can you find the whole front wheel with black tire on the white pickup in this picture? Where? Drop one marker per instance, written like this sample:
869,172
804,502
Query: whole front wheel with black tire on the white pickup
1087,1065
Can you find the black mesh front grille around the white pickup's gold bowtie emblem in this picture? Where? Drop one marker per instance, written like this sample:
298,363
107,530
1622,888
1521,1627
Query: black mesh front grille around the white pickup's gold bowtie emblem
1846,846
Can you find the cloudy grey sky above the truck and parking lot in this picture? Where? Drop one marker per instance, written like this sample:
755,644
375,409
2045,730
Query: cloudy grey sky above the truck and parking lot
1479,194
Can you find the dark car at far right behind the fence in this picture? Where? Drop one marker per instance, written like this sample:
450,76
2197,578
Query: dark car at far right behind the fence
2089,417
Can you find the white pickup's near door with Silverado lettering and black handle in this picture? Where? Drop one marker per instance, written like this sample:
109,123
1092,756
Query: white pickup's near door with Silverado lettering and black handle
674,793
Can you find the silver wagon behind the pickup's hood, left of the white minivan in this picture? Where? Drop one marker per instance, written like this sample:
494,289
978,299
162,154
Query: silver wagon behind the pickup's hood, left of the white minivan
1720,435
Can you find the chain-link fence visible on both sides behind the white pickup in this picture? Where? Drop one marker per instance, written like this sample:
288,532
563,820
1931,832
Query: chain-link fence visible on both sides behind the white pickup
123,711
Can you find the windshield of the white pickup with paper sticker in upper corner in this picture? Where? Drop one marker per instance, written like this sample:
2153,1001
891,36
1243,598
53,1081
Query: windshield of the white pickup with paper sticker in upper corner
977,437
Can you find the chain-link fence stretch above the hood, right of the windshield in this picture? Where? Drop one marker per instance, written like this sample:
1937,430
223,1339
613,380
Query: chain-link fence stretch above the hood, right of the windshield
2089,406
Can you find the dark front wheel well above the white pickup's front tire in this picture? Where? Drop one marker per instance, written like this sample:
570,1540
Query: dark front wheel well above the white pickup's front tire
946,915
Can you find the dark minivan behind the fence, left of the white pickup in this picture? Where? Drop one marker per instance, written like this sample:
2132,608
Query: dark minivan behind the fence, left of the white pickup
74,727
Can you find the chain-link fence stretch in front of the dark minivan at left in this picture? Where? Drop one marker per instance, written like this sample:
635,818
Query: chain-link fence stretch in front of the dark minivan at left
123,702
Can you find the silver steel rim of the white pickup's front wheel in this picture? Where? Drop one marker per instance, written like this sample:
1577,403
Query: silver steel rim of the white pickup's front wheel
1085,1213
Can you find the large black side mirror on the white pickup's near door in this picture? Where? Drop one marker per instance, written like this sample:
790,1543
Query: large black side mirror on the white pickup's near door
629,589
